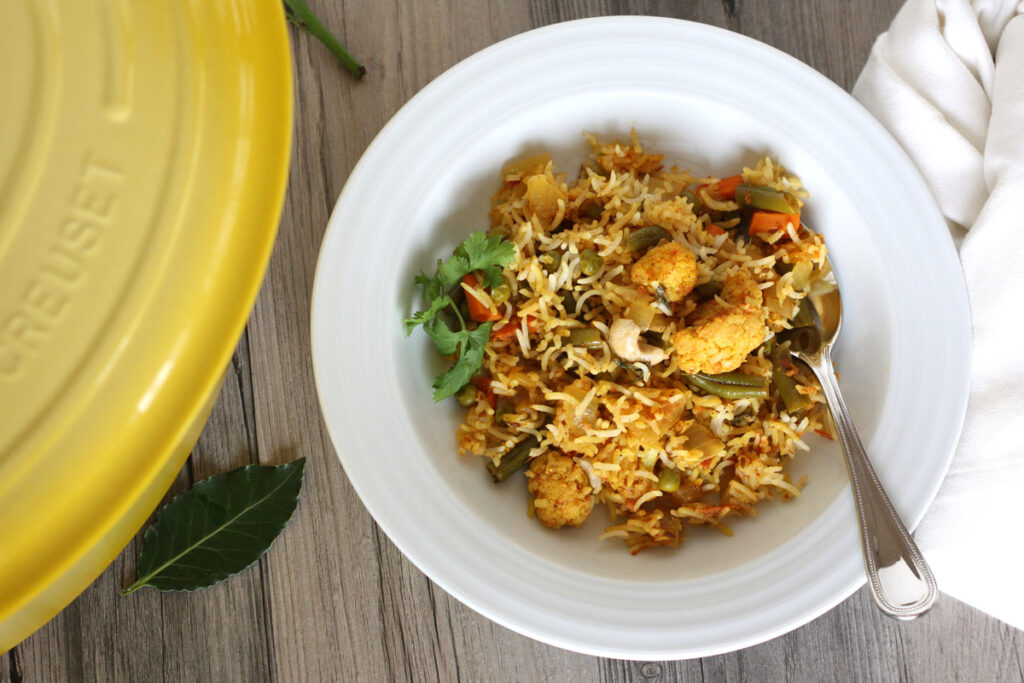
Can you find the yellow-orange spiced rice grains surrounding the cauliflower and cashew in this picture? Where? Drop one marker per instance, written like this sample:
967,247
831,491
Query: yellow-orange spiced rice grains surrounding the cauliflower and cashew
625,423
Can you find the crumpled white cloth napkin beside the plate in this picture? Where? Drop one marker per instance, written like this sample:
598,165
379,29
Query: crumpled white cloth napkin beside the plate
948,80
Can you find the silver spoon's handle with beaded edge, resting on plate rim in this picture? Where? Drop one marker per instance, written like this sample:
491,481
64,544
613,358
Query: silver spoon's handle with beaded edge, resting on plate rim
901,581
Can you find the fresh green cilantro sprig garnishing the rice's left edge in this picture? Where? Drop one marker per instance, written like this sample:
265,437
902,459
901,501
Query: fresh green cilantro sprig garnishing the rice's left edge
479,253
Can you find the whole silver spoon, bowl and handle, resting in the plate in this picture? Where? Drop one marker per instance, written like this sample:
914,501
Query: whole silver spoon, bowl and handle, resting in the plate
901,581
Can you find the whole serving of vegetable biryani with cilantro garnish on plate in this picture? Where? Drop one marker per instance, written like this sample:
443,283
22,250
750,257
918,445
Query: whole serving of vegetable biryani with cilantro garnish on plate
618,336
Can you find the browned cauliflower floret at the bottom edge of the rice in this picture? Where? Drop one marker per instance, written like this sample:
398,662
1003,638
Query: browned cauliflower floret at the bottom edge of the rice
562,491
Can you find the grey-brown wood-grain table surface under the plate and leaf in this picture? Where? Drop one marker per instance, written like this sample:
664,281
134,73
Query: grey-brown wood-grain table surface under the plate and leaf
334,600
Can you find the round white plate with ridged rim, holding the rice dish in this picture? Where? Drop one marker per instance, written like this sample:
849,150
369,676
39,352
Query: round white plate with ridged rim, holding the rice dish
712,100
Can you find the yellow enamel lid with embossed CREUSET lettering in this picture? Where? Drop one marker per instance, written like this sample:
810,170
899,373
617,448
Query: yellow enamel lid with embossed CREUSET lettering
143,172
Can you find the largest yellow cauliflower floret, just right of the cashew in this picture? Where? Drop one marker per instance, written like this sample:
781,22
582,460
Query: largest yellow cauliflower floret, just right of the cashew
720,341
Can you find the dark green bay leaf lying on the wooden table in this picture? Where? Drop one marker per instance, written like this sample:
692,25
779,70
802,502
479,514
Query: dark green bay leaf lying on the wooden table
219,528
